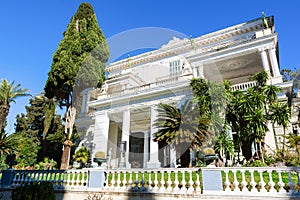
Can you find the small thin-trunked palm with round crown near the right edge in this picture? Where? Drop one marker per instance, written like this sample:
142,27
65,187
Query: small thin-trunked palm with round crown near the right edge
280,113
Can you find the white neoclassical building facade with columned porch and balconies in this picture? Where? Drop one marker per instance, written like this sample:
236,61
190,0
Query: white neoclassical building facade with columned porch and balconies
122,113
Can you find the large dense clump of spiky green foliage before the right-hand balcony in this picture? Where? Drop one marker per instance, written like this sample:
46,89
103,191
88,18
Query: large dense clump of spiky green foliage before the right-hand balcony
248,113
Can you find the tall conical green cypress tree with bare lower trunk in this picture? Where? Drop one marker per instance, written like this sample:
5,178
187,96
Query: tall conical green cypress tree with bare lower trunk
78,63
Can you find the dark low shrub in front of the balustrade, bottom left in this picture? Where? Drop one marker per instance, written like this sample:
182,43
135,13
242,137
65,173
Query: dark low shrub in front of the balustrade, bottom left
34,191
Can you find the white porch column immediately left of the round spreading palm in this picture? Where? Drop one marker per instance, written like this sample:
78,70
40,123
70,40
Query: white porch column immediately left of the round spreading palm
154,161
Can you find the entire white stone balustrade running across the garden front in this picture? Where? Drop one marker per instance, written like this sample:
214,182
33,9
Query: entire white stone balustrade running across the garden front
232,181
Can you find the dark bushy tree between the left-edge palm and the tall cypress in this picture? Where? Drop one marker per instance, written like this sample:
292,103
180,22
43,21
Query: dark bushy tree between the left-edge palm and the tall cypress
30,128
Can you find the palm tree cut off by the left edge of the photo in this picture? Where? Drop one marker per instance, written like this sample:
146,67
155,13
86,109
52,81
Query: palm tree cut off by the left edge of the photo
8,93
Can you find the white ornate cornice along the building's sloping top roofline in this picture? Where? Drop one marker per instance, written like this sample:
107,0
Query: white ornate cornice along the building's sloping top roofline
176,46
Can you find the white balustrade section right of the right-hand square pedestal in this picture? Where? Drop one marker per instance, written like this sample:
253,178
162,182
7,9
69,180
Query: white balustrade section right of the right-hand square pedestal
258,180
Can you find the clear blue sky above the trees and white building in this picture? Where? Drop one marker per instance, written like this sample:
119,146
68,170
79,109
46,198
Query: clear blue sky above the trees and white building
31,30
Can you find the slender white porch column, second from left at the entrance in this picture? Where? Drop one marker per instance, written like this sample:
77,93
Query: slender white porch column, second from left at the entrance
125,136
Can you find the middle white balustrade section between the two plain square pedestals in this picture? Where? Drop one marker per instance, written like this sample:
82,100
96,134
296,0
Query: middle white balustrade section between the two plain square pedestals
165,180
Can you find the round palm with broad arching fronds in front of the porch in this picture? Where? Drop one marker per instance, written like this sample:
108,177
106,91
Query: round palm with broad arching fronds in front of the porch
181,126
